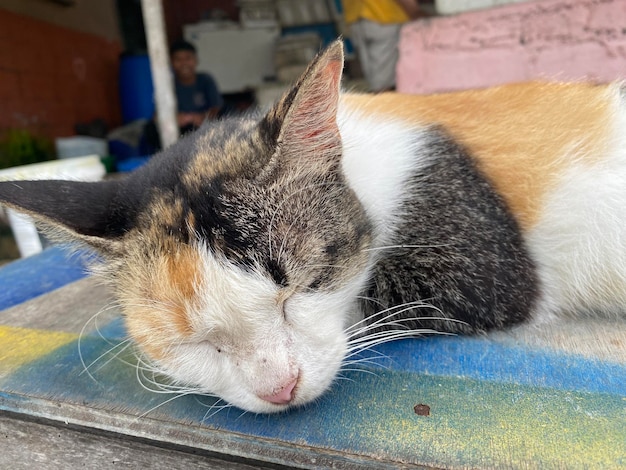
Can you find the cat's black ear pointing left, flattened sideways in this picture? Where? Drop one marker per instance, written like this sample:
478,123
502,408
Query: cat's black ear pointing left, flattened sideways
74,210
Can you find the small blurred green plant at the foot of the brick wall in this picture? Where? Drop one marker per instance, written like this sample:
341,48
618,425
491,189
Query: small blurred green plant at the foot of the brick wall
21,147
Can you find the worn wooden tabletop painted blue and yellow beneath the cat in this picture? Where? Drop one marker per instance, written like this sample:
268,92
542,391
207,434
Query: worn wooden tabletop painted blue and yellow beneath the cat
549,397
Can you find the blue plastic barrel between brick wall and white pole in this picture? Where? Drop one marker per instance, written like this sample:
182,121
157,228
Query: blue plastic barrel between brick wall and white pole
136,88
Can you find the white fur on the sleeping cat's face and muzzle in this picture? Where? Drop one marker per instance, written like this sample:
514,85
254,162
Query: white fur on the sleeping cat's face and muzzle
264,342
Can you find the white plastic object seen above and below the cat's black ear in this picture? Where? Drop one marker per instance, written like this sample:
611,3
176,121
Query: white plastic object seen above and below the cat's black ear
87,168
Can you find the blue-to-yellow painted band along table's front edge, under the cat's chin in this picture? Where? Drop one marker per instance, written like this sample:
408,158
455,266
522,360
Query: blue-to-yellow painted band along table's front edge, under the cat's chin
472,422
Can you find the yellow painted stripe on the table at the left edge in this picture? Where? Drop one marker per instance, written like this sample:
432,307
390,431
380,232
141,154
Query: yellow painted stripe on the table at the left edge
20,346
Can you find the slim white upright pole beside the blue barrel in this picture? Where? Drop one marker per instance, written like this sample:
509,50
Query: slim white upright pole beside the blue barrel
160,66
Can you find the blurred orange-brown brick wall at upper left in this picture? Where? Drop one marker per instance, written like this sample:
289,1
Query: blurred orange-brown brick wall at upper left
53,77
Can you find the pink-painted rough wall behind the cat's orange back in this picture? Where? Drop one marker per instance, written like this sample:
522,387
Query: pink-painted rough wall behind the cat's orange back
555,39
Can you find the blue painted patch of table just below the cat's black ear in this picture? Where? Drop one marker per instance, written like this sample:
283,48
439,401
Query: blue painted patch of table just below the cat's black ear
30,277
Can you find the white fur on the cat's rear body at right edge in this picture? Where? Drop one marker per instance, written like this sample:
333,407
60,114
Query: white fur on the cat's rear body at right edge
579,243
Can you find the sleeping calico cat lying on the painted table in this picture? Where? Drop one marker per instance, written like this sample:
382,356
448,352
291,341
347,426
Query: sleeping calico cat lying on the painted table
254,256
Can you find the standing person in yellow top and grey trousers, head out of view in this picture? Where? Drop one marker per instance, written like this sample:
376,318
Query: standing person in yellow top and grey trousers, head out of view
375,31
